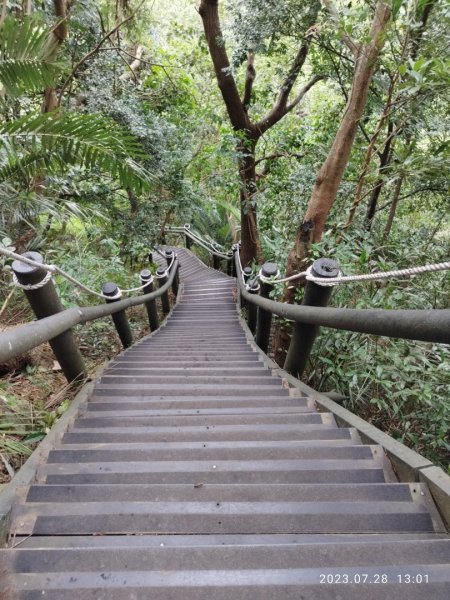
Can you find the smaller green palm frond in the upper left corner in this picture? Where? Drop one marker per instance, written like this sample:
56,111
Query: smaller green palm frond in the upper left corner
27,56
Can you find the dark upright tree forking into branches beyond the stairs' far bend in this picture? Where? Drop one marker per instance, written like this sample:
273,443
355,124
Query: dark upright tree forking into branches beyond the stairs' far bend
248,131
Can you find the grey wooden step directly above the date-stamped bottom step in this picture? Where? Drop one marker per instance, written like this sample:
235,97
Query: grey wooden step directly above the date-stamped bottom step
219,517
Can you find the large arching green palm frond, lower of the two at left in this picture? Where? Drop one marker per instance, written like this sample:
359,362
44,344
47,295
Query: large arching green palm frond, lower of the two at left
51,142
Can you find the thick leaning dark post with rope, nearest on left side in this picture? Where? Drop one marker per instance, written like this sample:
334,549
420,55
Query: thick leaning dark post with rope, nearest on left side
45,302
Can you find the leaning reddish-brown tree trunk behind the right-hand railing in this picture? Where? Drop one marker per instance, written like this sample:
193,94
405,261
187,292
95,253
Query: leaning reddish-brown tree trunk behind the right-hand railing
329,177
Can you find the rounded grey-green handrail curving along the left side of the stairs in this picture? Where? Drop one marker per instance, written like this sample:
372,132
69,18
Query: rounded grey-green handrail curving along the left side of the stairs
16,341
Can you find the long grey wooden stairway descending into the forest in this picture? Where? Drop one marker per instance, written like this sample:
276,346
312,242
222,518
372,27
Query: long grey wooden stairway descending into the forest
194,473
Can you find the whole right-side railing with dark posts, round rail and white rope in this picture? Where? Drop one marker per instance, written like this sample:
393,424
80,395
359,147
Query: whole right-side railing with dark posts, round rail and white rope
427,325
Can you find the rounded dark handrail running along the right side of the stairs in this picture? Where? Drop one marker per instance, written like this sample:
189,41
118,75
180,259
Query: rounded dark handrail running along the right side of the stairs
421,324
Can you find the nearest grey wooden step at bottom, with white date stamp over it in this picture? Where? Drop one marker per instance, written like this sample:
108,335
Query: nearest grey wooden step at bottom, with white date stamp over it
290,571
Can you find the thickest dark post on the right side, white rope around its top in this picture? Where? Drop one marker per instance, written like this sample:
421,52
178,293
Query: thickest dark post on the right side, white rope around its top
304,335
